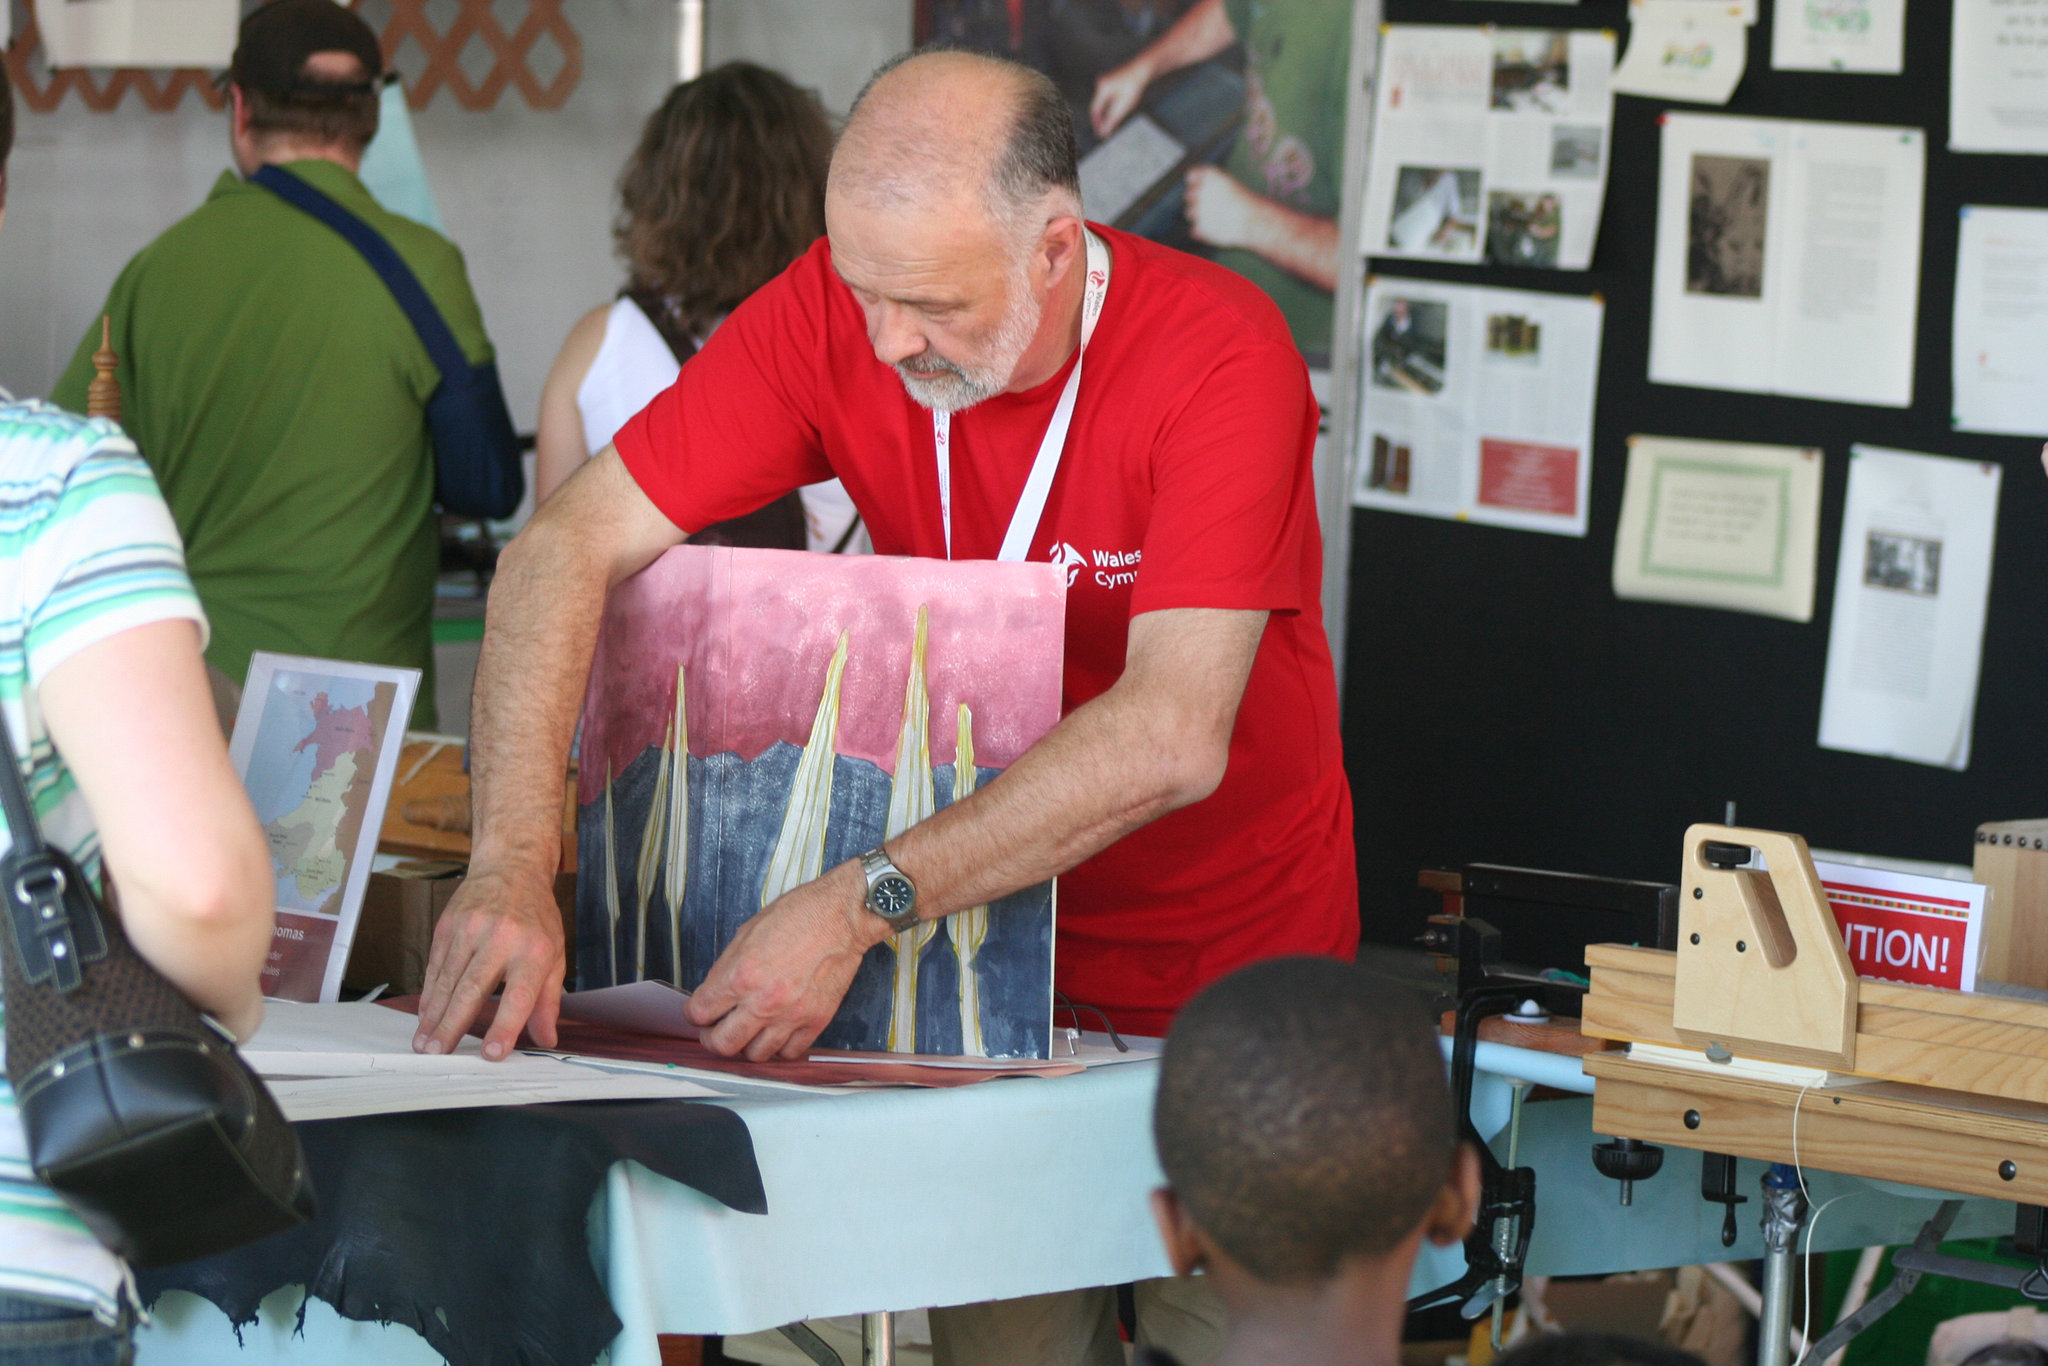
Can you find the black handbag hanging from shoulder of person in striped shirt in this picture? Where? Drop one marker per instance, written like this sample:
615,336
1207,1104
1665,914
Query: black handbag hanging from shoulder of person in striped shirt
138,1109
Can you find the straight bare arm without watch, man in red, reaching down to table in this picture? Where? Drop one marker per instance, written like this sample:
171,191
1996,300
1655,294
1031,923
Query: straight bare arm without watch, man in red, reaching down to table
548,599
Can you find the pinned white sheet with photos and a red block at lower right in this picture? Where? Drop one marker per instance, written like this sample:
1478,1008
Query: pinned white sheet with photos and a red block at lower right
1480,404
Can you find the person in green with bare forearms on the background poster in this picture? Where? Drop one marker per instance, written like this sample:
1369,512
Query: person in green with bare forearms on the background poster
1271,210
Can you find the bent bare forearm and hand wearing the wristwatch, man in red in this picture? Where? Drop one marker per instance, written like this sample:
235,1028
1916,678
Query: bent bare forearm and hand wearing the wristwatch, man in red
1156,742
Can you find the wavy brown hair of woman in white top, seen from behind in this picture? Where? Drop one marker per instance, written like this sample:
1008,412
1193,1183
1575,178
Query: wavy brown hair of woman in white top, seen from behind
726,189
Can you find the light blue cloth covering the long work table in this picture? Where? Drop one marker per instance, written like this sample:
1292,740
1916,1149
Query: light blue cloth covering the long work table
906,1199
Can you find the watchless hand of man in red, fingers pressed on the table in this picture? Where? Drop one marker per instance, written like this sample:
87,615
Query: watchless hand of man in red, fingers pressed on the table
497,931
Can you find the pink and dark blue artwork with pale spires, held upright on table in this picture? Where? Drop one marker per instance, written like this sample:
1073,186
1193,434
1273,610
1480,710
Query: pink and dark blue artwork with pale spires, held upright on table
757,718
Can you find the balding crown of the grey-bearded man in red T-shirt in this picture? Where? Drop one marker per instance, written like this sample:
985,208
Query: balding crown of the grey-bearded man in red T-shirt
939,130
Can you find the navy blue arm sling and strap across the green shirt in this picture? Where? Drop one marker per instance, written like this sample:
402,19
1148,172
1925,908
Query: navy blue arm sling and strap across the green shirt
476,452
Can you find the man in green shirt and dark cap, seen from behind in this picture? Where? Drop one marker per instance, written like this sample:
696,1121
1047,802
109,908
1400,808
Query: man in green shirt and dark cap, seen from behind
275,386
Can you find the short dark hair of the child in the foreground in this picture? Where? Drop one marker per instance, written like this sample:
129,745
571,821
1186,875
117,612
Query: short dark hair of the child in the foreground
1304,1115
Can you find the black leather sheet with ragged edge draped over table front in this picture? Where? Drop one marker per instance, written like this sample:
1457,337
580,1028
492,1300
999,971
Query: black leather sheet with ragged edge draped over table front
472,1226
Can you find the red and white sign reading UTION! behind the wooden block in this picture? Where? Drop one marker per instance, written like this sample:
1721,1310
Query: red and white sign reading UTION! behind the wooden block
1900,927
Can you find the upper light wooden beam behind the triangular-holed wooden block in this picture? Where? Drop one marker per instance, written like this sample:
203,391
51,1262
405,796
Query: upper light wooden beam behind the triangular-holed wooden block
1986,1045
